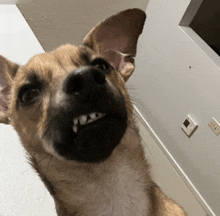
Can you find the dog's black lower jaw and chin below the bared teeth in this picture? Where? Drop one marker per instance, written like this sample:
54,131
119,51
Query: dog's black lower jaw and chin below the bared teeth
93,142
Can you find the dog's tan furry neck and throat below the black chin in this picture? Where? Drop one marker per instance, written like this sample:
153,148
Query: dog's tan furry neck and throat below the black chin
114,187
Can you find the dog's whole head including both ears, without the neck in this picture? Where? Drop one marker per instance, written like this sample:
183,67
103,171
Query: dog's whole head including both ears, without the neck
72,103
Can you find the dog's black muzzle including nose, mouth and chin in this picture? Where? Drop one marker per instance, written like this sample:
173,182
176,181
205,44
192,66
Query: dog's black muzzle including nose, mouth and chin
90,119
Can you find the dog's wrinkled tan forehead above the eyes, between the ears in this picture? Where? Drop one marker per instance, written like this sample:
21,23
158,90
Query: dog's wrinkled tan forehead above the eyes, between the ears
50,65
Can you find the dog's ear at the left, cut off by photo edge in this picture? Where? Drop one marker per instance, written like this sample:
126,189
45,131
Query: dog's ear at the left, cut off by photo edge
8,70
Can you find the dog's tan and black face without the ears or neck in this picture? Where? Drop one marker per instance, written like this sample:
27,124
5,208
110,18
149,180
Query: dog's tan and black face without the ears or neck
73,101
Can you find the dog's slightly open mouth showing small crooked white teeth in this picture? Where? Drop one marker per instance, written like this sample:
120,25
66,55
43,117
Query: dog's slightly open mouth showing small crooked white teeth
83,121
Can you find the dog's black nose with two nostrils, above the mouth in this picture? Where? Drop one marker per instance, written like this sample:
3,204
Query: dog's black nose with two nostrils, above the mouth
85,78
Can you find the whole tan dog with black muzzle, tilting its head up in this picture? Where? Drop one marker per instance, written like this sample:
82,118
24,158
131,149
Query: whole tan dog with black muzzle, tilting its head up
74,117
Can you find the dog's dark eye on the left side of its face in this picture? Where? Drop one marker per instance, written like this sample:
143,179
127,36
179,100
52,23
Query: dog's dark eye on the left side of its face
28,94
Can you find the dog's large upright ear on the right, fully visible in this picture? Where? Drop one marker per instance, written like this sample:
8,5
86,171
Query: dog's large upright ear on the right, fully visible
116,39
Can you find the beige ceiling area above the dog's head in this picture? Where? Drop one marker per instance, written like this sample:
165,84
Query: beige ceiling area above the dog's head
56,22
